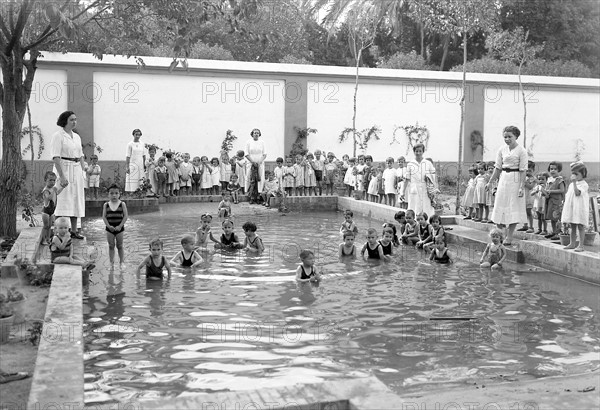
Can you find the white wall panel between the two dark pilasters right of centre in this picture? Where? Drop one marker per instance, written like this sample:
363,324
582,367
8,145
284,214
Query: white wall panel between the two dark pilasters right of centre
330,107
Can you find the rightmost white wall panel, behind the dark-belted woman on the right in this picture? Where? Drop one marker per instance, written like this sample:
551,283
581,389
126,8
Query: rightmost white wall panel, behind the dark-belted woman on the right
556,118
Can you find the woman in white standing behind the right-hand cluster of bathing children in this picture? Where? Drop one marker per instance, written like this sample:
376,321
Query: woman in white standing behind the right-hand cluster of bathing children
414,187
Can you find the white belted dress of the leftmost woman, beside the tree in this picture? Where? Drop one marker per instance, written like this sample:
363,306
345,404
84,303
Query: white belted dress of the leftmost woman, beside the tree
71,201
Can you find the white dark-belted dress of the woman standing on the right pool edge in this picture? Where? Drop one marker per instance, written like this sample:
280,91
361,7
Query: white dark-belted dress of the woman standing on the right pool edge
509,207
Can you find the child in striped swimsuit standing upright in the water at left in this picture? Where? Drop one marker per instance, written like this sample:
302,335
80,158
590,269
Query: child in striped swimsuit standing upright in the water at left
114,214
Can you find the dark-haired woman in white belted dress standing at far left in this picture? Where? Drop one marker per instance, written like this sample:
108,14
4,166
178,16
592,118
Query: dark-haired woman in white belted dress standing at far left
67,154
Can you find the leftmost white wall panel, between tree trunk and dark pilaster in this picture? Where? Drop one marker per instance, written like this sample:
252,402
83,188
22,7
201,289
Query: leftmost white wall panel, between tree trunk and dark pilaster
48,99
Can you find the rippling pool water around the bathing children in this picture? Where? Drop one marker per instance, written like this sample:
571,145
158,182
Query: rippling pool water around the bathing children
242,322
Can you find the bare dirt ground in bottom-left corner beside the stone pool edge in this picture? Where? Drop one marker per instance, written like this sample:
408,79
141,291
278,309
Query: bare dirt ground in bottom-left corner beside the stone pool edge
19,354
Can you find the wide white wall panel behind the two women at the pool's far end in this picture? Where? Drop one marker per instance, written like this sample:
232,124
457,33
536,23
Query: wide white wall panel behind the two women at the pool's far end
185,113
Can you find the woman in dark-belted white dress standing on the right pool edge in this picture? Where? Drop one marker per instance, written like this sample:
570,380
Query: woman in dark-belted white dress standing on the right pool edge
511,164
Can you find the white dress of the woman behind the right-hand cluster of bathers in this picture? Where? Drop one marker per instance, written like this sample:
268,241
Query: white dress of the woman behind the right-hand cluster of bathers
417,197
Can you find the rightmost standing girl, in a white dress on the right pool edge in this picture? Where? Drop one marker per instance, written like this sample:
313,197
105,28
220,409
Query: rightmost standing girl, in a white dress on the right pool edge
576,209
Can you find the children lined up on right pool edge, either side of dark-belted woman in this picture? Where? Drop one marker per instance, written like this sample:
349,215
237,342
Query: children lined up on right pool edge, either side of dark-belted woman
546,198
